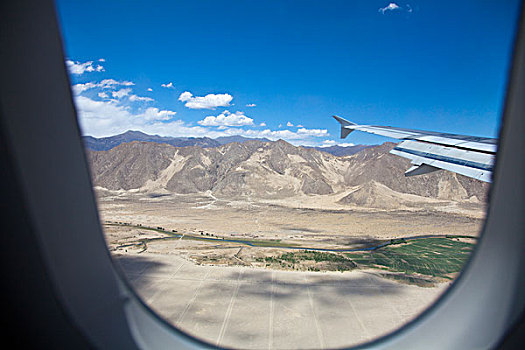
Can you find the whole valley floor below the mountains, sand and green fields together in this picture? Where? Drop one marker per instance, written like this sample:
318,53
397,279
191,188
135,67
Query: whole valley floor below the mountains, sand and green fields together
244,273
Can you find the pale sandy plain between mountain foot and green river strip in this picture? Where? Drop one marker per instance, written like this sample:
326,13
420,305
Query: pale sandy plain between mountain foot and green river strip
190,213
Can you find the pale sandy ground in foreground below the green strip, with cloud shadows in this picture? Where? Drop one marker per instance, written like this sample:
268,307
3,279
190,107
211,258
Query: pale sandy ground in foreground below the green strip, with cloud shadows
252,308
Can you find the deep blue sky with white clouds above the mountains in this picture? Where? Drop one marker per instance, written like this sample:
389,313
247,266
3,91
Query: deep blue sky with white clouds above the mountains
280,69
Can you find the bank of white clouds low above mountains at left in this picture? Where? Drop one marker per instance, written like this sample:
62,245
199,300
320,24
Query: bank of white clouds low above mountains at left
112,112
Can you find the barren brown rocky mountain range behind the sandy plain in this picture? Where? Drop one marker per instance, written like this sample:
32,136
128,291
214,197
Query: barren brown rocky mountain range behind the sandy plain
273,170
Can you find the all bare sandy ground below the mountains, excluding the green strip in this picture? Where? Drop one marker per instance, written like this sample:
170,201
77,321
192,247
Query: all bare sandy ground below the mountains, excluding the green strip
256,308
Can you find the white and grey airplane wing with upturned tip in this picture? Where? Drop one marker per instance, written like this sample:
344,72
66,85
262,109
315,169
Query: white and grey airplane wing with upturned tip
430,151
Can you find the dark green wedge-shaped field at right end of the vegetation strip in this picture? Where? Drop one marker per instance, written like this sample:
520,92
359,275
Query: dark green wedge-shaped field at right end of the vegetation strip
437,257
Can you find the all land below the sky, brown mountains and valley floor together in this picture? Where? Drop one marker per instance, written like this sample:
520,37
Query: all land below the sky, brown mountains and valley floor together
326,251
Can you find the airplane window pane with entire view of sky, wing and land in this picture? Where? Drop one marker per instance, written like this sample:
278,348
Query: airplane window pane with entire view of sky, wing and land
238,208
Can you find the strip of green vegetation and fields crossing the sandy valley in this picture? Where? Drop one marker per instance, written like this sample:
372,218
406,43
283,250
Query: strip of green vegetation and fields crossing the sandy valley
420,260
